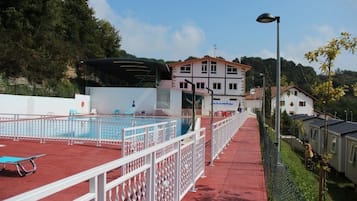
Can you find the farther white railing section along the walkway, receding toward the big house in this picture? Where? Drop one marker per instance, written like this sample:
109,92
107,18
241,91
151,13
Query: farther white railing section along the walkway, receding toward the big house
223,131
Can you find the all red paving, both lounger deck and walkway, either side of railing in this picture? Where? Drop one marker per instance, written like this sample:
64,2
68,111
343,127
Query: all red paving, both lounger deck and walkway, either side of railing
237,175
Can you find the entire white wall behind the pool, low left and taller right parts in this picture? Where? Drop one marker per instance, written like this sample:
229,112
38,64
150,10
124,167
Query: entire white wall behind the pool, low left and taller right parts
105,100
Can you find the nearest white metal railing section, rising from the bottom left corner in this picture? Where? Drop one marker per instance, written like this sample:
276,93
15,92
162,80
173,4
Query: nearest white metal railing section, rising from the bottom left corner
165,171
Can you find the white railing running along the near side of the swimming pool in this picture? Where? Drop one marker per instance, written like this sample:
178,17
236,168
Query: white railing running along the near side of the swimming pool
102,130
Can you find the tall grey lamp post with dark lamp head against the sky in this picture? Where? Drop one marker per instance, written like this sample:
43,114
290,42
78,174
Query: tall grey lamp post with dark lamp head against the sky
267,18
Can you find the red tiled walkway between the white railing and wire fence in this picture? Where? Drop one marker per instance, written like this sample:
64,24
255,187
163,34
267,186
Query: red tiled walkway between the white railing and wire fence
238,175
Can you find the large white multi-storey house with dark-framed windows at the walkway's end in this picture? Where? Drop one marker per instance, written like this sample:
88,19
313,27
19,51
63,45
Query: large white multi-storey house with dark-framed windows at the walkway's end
225,78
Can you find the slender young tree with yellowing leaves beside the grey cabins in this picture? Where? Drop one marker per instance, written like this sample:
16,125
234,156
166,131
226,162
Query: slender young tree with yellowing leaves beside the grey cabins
325,90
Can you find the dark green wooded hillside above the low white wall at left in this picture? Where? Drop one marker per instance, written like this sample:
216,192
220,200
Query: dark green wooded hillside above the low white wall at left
43,41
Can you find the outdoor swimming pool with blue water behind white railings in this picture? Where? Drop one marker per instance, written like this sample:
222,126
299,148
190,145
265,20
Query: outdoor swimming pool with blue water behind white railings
89,127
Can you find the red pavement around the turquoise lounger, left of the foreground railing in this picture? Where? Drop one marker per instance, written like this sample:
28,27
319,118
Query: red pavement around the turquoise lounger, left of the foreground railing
61,160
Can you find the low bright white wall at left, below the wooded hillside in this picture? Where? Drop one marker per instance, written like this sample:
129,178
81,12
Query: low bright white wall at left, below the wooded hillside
17,104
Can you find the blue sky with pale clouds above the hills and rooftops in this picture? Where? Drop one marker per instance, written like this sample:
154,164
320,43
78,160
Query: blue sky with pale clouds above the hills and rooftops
175,30
